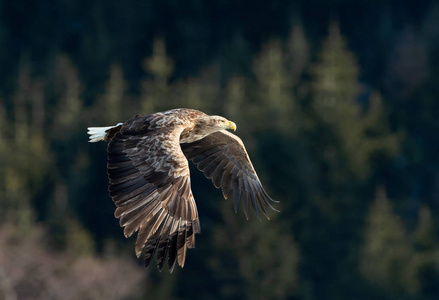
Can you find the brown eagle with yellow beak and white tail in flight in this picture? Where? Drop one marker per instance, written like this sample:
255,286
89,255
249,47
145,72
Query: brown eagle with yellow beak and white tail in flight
148,170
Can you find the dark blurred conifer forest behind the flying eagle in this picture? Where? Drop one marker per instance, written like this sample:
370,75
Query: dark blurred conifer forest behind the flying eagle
336,101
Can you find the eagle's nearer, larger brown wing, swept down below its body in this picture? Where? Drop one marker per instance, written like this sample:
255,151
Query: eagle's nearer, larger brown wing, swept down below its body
150,185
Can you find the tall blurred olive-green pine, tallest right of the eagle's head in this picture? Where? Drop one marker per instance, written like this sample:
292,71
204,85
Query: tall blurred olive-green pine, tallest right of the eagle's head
334,90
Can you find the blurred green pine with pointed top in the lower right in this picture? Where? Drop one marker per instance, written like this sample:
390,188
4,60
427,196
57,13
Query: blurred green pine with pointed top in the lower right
386,259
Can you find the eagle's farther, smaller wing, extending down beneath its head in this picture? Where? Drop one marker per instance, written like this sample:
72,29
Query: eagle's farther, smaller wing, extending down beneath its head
223,159
